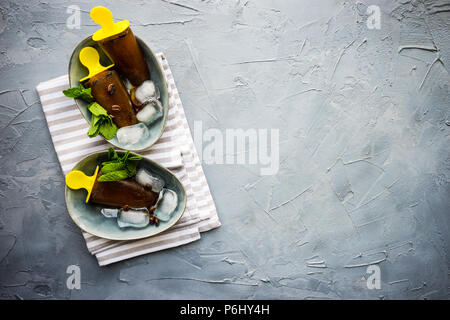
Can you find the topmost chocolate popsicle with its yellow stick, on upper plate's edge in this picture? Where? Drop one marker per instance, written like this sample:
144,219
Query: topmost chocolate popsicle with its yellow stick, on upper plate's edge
119,43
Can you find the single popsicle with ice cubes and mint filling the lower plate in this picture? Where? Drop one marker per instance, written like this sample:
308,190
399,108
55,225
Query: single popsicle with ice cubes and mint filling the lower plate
134,196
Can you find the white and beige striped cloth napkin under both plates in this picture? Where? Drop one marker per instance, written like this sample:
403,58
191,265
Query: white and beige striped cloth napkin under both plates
174,150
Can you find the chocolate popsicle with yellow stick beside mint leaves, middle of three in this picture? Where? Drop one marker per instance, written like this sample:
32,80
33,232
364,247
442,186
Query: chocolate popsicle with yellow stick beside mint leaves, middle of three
107,89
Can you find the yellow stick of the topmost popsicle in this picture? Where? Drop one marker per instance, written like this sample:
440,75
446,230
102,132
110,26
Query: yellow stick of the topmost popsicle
103,17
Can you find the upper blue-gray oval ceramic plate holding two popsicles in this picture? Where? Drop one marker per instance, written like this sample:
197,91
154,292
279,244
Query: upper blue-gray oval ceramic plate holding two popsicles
78,71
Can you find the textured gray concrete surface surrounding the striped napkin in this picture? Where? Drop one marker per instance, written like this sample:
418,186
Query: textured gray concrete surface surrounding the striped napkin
364,124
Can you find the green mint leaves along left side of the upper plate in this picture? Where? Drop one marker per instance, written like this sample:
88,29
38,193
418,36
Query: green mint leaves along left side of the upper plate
101,122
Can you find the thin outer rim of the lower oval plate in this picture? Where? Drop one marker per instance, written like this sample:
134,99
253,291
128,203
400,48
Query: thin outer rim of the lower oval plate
129,238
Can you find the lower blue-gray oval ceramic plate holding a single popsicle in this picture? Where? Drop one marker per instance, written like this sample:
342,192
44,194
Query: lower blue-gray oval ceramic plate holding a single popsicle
89,218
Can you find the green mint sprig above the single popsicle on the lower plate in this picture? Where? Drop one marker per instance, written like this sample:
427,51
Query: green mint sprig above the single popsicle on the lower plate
119,168
